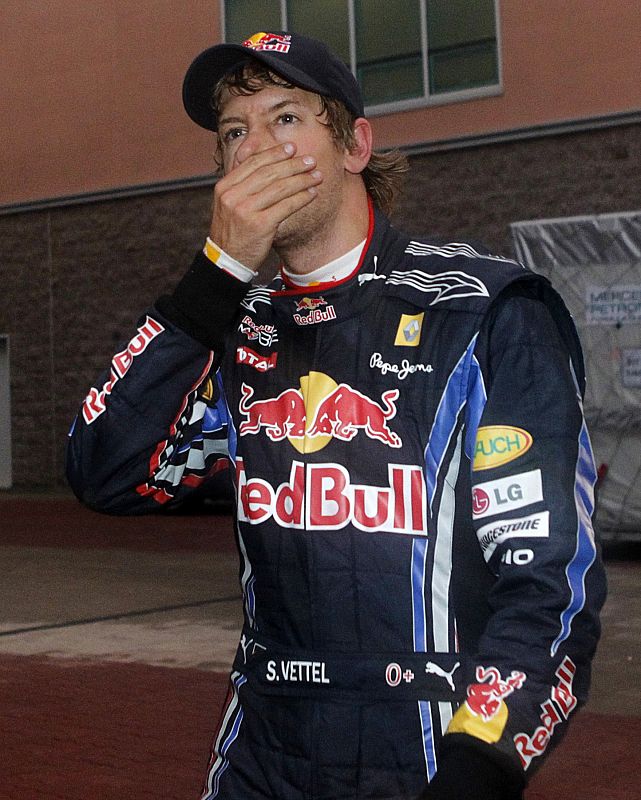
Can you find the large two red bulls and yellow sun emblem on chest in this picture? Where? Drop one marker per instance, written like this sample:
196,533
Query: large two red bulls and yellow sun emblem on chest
310,417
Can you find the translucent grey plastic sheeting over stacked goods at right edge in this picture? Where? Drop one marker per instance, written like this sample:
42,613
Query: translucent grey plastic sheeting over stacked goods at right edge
594,262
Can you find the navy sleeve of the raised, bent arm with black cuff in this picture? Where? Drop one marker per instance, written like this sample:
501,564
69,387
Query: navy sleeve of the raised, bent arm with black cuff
155,425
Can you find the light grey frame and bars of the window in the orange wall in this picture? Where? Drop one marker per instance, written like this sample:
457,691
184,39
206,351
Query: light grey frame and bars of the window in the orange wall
428,99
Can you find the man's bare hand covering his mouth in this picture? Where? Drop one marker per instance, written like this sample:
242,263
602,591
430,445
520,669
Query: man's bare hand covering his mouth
253,199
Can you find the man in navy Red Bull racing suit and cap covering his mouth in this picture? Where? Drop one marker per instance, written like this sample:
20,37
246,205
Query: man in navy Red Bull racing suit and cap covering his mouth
414,479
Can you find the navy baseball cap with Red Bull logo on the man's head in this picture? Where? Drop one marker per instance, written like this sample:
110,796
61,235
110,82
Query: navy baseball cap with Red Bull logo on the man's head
302,61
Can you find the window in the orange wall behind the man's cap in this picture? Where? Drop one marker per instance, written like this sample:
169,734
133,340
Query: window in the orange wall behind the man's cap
405,53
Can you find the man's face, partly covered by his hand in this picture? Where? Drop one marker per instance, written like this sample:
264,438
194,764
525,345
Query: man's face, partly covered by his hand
276,115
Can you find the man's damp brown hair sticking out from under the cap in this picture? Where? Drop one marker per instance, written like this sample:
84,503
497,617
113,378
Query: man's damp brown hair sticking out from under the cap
382,175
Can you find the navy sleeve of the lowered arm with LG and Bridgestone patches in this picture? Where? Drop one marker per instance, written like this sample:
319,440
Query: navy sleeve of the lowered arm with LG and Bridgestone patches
533,479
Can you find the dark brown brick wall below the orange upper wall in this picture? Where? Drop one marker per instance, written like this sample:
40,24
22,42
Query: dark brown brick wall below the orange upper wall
74,280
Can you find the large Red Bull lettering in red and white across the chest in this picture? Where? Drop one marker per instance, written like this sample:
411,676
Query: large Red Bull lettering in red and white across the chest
323,497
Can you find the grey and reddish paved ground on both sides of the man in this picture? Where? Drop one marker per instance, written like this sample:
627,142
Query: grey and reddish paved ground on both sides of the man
116,635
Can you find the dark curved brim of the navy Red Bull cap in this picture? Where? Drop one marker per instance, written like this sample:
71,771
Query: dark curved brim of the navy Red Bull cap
212,64
